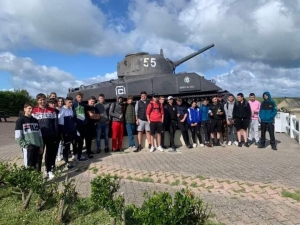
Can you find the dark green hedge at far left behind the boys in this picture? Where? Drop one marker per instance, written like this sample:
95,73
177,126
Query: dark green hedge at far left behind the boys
13,101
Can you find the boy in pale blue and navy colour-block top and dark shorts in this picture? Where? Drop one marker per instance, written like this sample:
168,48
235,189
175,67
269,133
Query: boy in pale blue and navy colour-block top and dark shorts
67,126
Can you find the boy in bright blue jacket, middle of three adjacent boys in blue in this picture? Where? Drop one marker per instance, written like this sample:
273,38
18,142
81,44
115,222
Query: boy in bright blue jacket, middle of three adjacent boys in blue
194,121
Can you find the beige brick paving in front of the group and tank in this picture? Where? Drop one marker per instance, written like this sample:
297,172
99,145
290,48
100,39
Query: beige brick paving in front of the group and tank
244,185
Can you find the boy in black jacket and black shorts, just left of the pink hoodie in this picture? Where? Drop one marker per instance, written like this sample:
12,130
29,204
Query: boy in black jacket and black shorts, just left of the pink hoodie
241,116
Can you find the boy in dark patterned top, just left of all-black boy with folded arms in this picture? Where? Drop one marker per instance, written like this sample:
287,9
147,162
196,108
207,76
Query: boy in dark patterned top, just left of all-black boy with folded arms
81,127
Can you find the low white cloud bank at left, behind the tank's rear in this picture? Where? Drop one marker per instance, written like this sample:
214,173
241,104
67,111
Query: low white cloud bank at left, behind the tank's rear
26,74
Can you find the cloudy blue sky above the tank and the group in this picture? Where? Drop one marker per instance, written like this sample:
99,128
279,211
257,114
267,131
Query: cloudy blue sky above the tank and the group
53,45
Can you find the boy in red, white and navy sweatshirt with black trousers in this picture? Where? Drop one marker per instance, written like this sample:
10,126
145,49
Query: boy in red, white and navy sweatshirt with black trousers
47,119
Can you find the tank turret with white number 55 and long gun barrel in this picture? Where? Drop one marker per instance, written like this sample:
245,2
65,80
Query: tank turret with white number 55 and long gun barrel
144,64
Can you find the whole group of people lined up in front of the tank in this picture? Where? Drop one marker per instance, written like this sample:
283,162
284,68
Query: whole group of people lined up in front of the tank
57,123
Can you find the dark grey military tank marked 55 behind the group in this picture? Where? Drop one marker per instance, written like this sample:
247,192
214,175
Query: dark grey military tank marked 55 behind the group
152,73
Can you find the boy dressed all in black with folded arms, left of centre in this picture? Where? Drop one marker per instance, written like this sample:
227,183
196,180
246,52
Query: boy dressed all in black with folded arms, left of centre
92,116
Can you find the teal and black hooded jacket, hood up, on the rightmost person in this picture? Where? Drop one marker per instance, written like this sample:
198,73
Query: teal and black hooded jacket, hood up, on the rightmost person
268,109
